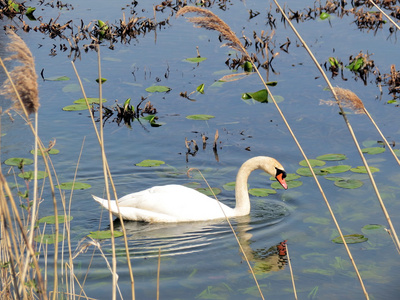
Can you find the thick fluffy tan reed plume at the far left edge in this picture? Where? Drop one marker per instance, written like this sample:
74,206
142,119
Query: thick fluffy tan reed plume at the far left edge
22,79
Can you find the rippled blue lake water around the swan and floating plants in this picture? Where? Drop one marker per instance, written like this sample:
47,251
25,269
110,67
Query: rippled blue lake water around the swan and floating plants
203,259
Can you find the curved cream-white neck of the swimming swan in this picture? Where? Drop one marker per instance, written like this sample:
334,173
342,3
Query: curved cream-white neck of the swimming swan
241,191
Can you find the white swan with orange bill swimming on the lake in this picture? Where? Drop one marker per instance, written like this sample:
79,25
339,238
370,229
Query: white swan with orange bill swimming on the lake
177,203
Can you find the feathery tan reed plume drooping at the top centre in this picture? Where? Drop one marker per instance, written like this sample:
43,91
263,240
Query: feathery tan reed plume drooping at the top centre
211,21
